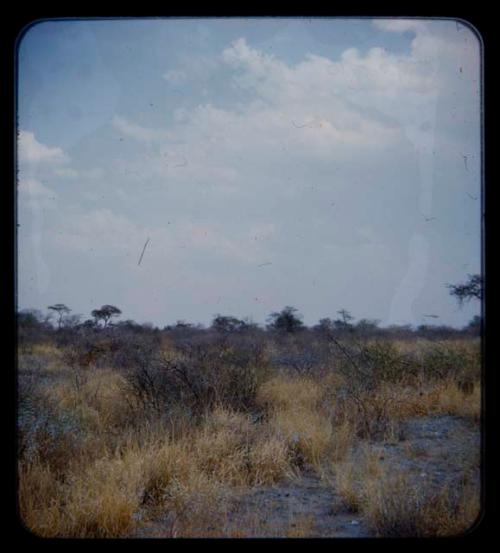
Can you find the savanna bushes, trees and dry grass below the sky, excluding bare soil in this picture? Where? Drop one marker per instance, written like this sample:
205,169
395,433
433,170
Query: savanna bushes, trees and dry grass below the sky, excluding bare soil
122,426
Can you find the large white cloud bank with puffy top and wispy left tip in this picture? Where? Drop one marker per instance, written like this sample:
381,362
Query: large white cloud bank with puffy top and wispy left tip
318,108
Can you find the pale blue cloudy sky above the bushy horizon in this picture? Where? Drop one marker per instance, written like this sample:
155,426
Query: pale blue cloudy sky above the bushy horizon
319,163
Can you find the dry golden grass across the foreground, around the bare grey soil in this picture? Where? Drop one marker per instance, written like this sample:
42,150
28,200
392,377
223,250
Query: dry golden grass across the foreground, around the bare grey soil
125,468
